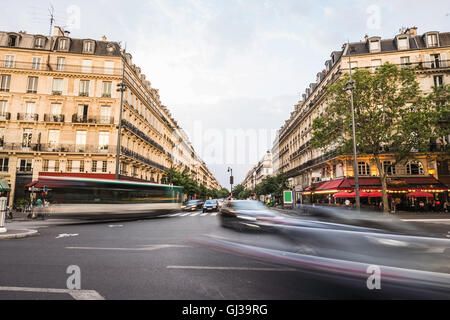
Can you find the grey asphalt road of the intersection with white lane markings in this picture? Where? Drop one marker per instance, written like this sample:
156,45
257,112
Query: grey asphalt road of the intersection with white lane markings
163,259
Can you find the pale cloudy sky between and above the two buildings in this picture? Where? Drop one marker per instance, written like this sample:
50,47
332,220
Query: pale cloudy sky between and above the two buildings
231,70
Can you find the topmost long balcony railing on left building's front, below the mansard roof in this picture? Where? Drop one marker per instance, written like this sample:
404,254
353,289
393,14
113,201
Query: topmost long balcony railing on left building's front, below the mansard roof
54,67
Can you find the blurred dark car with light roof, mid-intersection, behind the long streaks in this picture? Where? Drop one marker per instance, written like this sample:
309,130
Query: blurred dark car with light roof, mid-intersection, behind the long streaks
247,215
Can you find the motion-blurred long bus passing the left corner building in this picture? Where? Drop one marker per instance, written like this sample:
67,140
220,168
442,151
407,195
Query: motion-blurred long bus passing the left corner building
93,198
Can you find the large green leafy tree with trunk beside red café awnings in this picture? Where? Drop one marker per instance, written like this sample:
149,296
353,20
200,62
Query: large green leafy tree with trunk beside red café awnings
391,115
